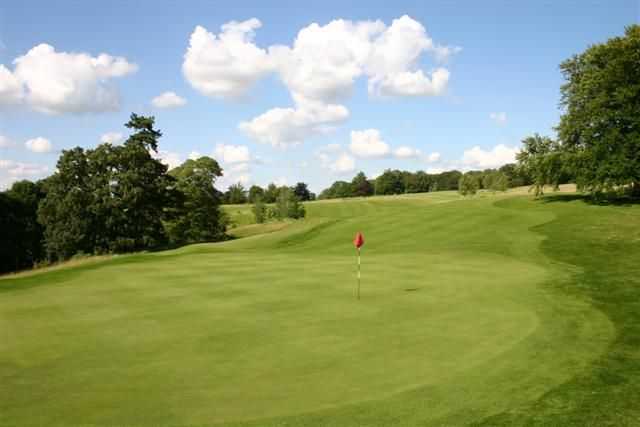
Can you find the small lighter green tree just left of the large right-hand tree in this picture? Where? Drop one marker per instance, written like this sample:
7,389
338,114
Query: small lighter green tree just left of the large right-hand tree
543,161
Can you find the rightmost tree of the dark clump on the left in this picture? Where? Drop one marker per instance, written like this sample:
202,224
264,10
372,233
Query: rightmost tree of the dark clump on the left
200,218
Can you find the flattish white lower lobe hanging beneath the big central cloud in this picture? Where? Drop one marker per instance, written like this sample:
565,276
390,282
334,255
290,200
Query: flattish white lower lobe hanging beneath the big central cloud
283,127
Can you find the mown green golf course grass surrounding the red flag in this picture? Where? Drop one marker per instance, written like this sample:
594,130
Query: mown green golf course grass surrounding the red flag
497,310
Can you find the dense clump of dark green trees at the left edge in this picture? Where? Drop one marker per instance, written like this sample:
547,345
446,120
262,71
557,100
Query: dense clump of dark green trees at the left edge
111,199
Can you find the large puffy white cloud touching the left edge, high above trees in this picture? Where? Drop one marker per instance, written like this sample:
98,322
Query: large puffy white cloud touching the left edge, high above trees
60,82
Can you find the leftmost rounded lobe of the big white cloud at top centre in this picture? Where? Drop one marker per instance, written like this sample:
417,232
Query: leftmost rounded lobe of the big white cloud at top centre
228,64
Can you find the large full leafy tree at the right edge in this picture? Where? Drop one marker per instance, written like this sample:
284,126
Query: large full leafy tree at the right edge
600,126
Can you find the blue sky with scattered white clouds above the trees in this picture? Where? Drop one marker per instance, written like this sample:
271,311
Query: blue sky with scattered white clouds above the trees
291,91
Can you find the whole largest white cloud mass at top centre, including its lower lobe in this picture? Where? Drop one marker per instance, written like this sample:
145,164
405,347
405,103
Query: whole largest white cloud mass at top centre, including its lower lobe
319,69
